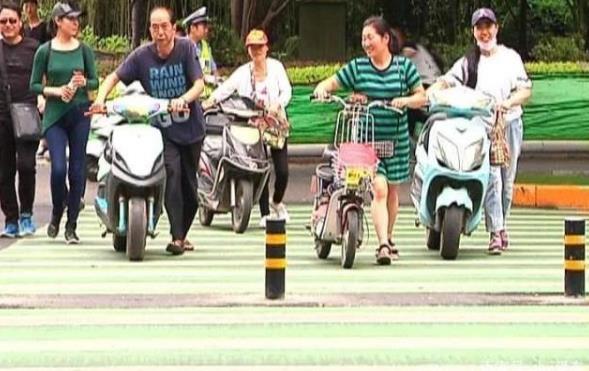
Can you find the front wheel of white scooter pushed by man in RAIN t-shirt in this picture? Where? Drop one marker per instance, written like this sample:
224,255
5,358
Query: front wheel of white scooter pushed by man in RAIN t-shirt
137,229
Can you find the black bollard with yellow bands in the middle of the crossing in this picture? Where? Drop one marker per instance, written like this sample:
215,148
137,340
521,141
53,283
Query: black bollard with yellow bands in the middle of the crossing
275,258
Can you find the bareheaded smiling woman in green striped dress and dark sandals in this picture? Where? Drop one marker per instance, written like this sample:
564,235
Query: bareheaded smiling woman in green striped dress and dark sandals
381,75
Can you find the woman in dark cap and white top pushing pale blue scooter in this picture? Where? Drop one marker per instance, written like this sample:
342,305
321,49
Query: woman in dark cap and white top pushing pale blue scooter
499,71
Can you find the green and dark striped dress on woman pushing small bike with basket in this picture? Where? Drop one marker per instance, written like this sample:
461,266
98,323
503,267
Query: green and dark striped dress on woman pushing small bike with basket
397,80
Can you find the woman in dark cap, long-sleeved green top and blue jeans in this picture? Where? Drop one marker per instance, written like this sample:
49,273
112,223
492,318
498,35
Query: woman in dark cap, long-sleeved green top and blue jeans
64,72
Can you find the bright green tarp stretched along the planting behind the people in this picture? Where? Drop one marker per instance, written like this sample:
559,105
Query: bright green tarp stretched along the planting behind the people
558,110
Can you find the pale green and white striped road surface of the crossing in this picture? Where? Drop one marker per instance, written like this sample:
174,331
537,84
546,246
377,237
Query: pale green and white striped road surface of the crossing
86,307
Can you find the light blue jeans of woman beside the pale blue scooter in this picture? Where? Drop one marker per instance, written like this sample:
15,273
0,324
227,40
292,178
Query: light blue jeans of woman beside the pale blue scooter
501,180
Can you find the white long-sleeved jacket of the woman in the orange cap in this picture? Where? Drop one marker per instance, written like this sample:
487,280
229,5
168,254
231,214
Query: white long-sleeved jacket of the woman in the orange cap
274,89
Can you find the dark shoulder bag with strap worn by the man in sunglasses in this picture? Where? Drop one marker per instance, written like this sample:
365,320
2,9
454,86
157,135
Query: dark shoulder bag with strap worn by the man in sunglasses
26,121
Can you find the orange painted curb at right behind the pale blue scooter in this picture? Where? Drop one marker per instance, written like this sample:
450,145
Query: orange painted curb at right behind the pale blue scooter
551,196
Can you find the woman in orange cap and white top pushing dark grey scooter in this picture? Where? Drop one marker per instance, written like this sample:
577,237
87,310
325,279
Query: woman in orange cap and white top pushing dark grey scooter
265,81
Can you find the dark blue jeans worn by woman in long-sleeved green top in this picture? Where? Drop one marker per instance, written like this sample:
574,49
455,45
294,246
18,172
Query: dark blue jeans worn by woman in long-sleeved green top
70,130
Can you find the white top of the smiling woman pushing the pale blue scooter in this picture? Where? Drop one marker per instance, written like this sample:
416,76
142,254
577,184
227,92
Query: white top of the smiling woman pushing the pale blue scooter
499,75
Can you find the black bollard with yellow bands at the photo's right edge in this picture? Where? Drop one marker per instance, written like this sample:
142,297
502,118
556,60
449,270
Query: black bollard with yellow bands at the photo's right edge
574,257
